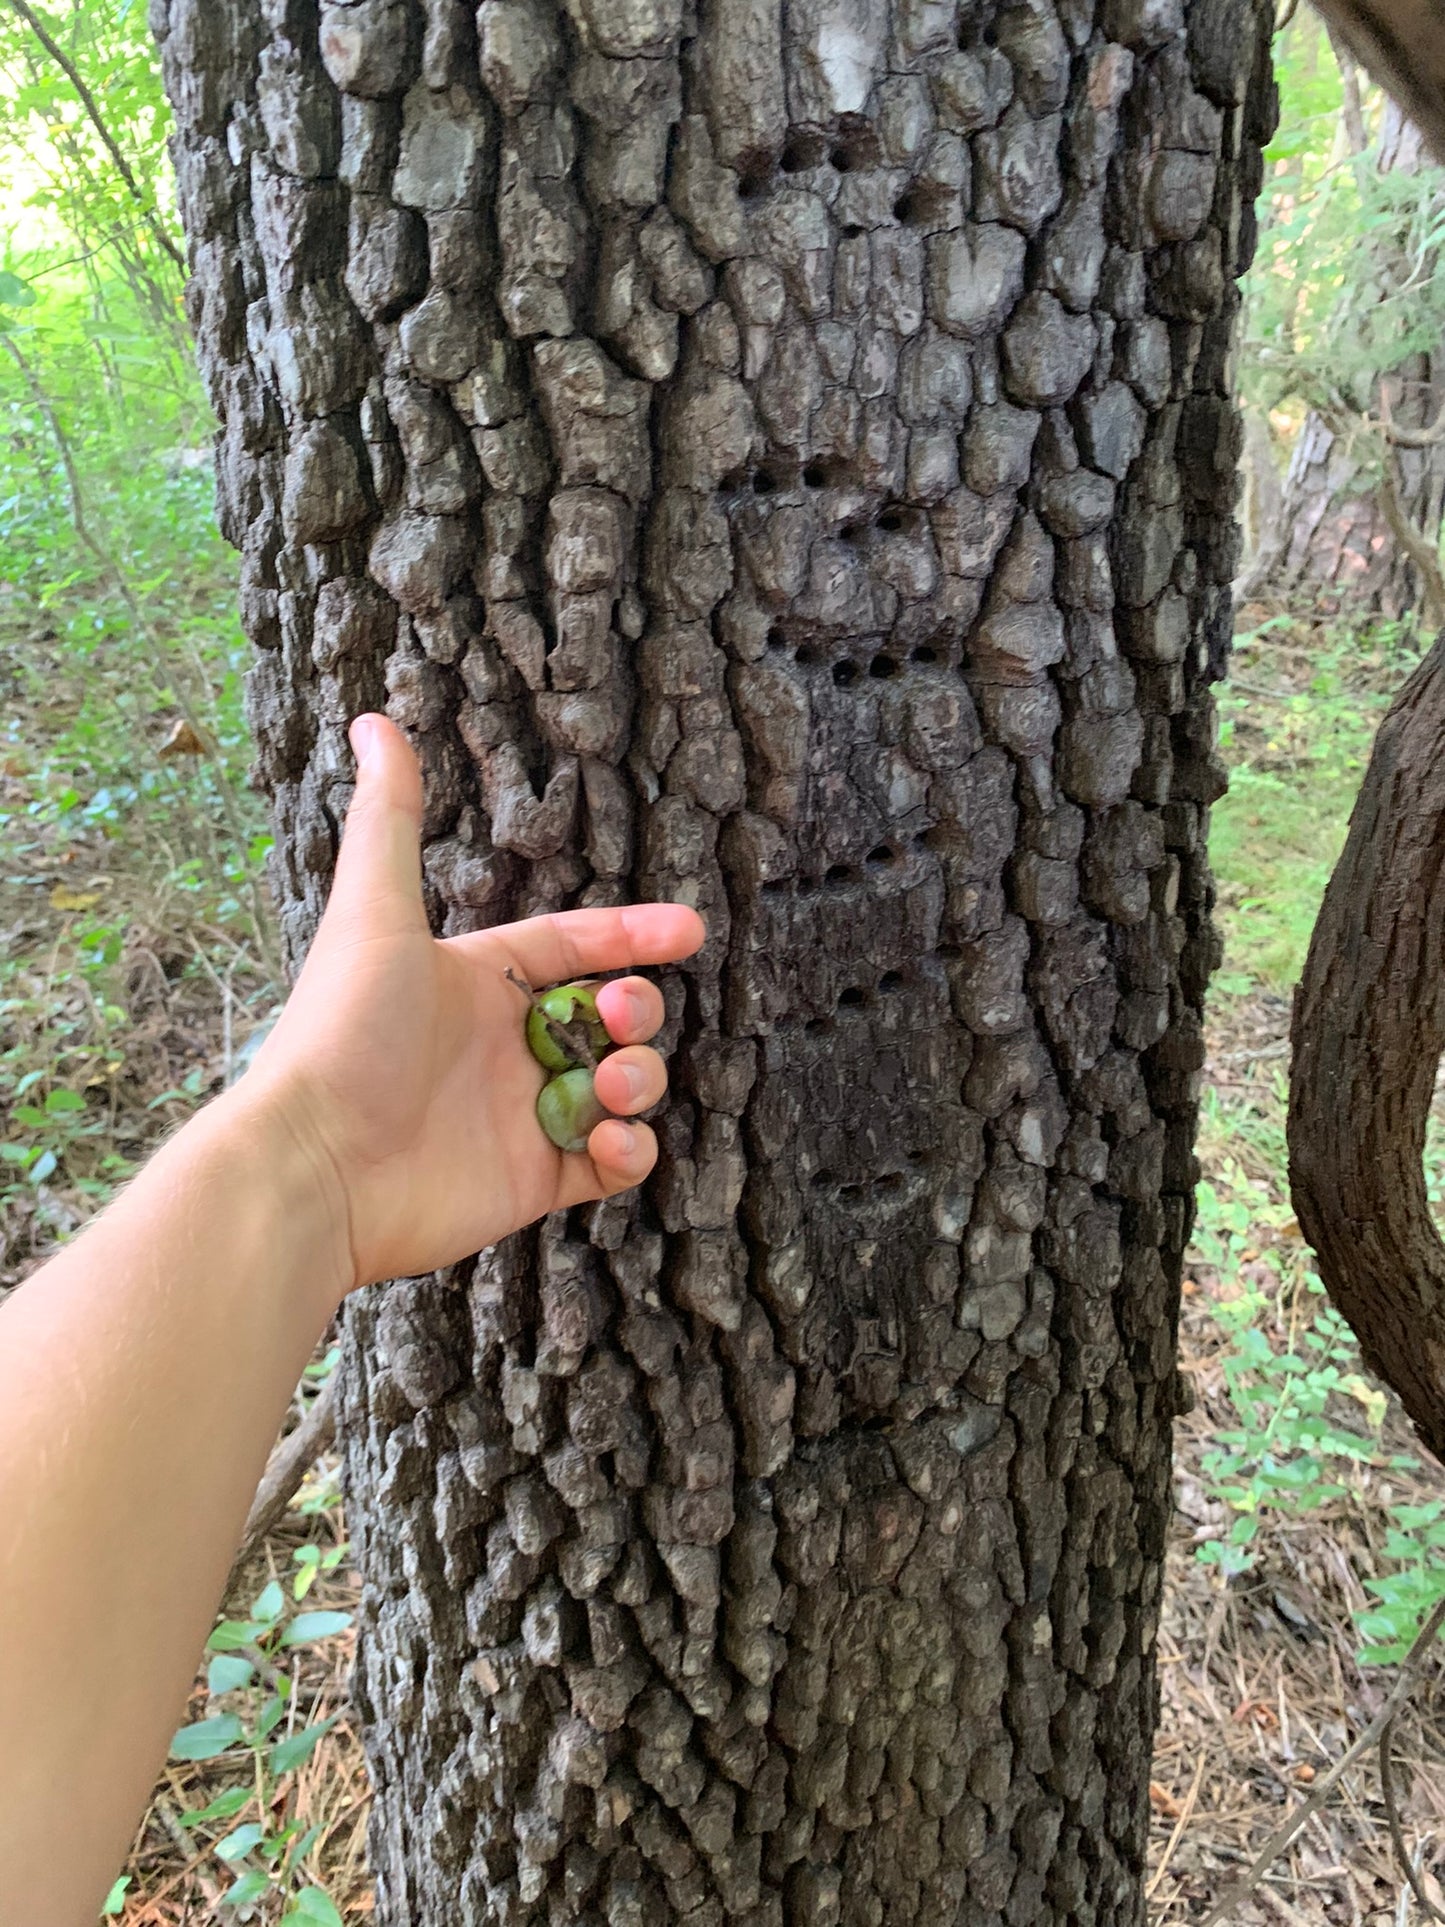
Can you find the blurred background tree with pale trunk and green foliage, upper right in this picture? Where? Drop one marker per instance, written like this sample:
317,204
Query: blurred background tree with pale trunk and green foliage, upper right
1346,325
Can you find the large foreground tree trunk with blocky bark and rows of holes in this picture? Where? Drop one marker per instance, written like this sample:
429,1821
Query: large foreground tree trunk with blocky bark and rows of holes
781,462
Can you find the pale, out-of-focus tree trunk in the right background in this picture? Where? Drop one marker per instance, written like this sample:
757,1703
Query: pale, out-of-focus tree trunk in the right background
1332,544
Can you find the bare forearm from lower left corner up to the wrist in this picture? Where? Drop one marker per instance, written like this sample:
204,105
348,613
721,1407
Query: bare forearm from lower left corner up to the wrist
144,1377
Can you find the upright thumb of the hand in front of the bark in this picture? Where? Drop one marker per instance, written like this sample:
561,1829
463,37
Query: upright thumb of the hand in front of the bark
379,872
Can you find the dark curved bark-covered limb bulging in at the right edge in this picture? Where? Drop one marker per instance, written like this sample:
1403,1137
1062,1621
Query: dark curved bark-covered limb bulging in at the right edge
1369,1034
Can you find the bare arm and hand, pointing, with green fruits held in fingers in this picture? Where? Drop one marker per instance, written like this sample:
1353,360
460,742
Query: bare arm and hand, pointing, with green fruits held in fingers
386,1130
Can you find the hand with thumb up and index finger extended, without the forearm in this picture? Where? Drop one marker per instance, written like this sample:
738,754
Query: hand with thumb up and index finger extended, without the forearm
400,1063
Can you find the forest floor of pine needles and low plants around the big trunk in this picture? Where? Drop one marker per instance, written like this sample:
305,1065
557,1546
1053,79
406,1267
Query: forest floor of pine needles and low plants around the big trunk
1307,1519
